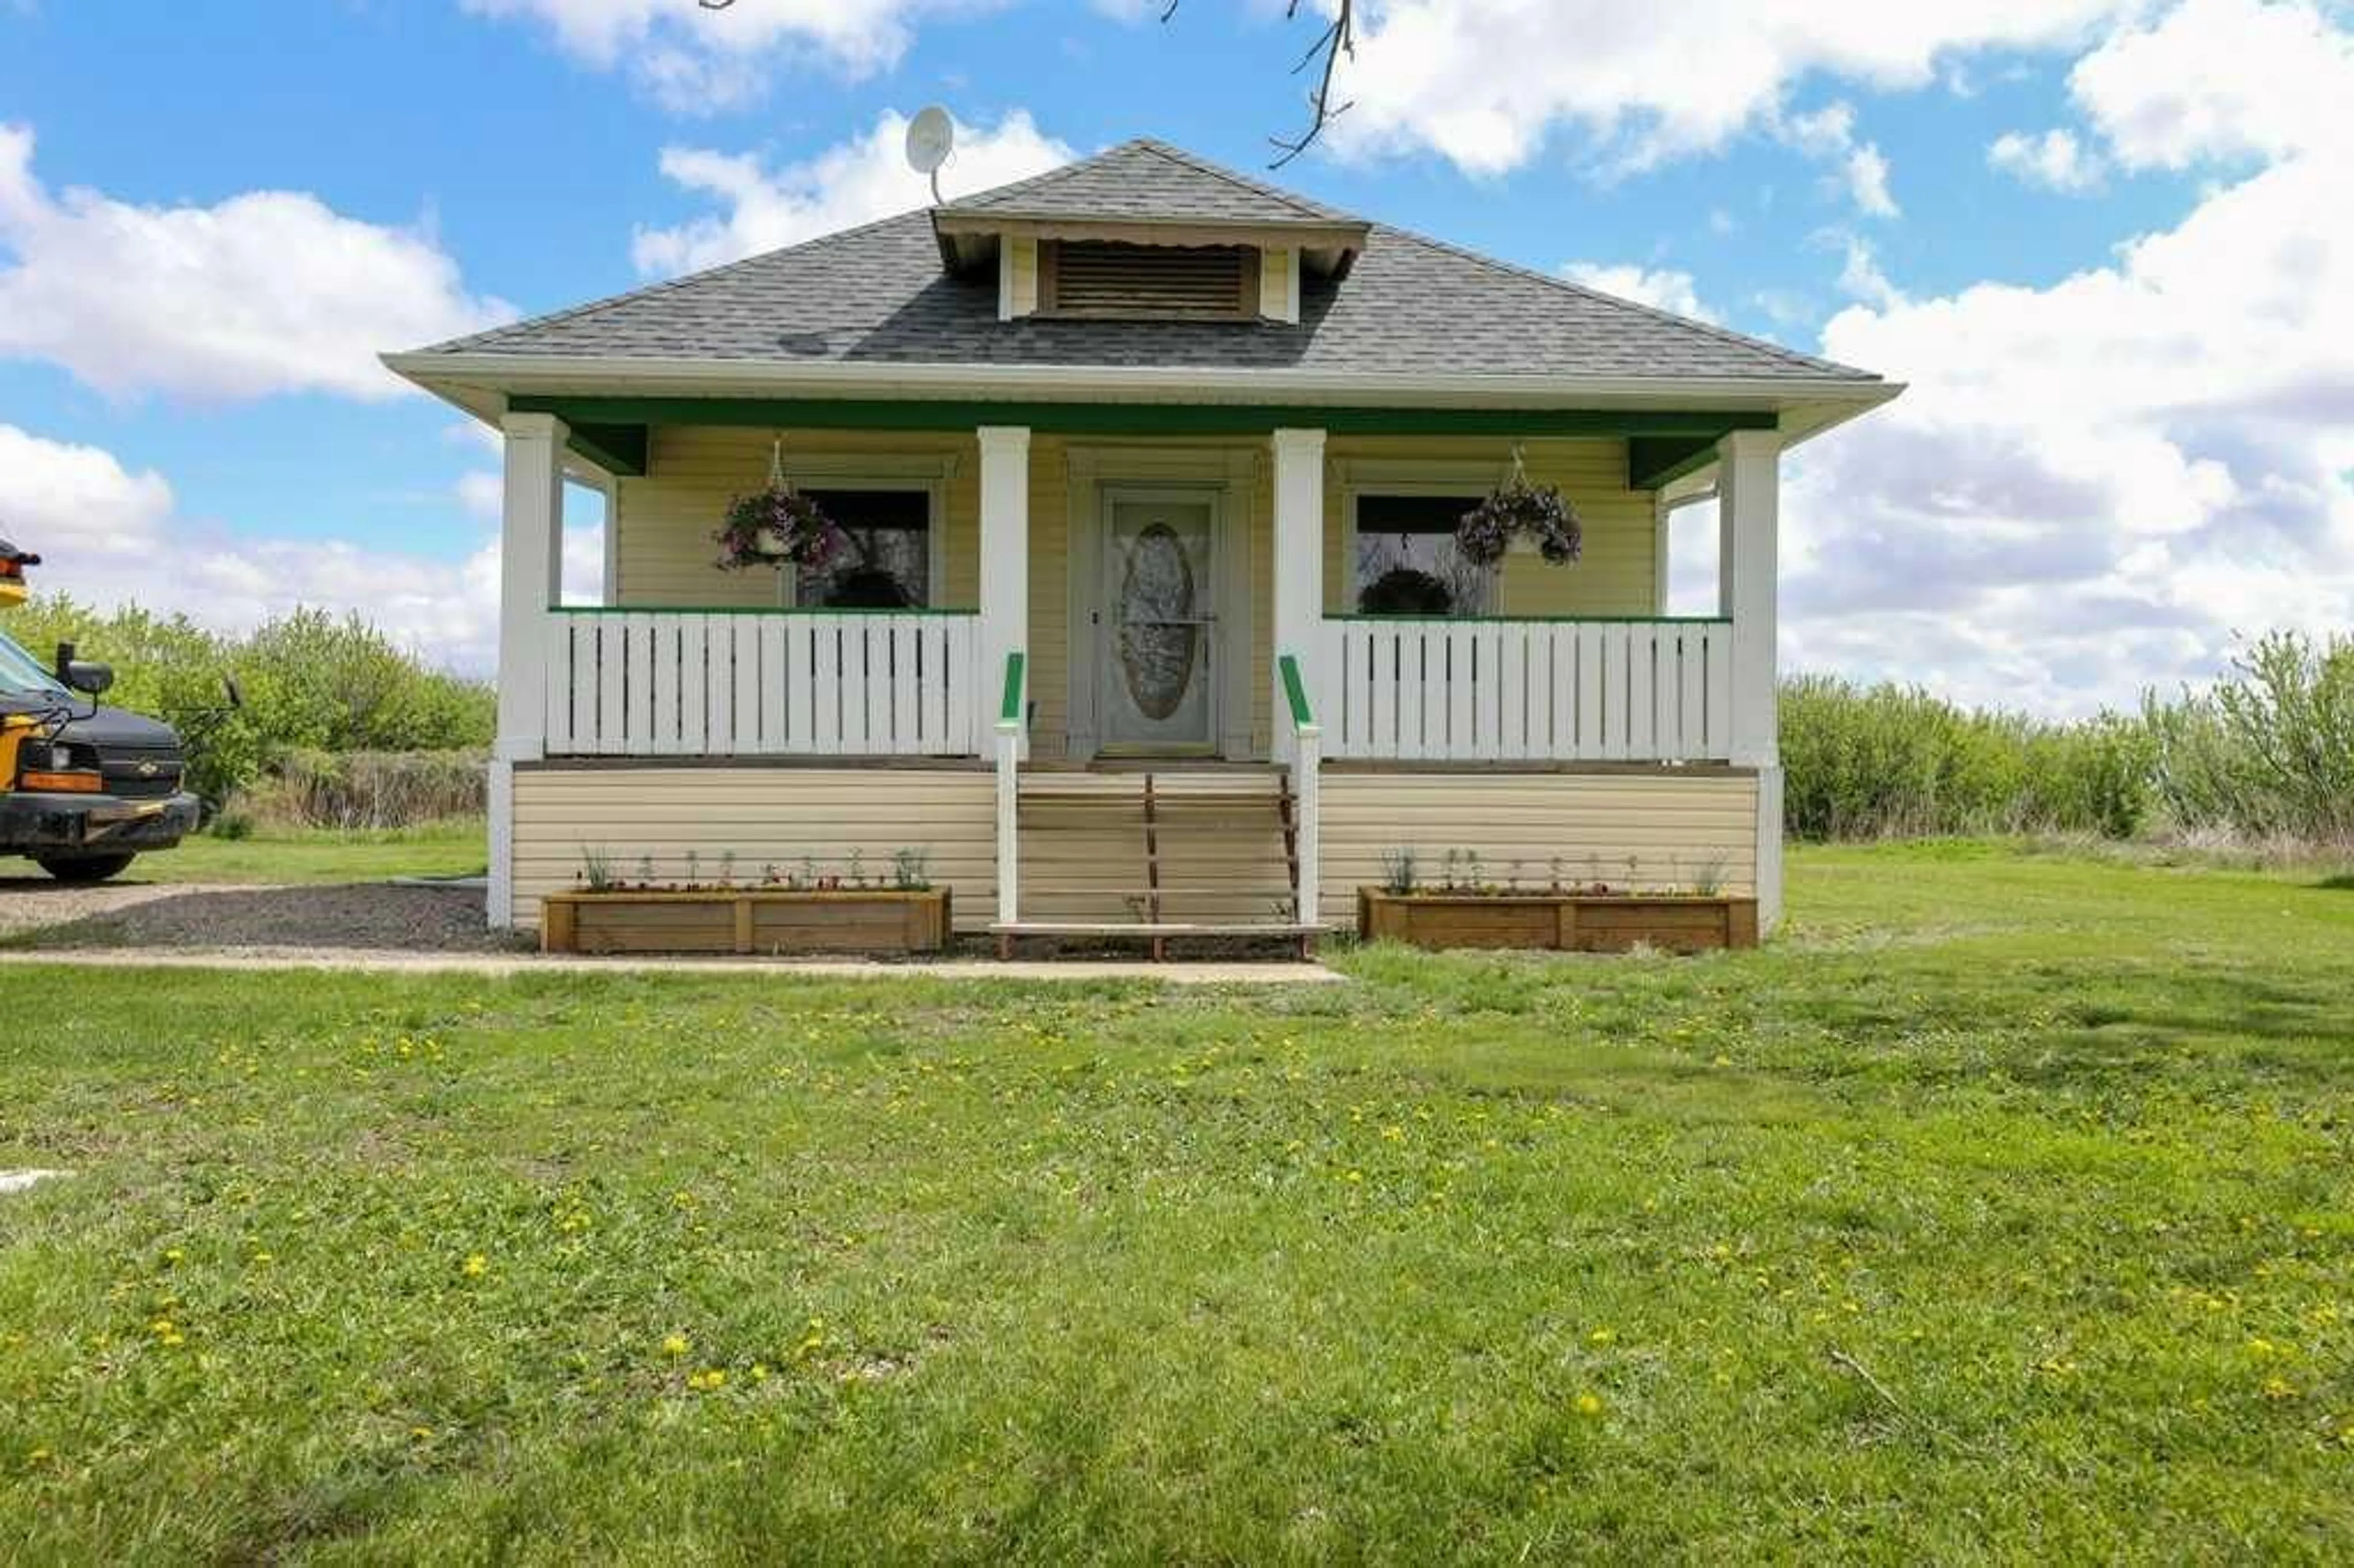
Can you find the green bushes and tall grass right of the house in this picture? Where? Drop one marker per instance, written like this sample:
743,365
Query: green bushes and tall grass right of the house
2263,755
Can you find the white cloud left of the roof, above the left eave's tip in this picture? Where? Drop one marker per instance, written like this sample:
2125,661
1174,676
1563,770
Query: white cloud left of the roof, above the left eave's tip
265,293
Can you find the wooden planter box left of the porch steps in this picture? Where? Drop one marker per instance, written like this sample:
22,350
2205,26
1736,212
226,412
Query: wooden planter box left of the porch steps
745,922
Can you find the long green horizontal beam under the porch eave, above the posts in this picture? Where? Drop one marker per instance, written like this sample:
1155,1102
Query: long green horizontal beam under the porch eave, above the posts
1138,418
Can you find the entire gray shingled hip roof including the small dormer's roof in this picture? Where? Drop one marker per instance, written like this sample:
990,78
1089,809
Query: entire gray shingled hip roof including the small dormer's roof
879,295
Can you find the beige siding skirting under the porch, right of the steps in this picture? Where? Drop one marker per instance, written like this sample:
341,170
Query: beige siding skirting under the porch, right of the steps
1642,830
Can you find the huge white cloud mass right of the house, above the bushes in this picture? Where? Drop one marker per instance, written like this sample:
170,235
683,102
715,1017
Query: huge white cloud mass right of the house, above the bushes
2092,486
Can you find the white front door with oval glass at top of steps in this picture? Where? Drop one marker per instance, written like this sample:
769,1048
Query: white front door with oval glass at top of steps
1157,630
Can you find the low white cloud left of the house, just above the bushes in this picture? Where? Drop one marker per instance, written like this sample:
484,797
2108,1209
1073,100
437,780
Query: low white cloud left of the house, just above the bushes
119,538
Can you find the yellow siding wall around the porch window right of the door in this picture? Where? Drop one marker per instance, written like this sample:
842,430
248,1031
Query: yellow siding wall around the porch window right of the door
1618,573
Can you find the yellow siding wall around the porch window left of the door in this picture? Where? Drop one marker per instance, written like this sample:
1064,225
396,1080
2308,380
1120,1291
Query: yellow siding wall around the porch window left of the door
665,521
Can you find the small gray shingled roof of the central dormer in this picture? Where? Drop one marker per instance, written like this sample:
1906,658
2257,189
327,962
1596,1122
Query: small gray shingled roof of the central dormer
1150,182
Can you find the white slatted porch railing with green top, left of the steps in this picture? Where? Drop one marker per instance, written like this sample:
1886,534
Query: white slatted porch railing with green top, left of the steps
762,684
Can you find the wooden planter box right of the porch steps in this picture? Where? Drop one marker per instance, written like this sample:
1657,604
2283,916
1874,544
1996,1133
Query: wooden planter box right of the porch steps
1564,922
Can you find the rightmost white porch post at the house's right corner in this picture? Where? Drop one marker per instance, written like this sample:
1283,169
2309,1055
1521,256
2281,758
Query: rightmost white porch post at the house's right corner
1748,519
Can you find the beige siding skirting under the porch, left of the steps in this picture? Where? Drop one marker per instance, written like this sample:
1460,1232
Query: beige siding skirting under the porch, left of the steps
785,818
